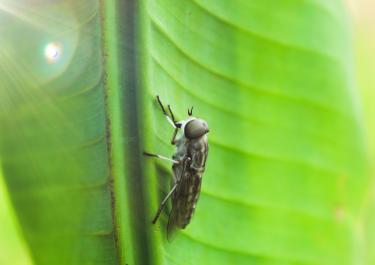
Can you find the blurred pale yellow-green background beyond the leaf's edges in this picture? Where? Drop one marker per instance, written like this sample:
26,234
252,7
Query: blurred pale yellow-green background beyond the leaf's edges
13,250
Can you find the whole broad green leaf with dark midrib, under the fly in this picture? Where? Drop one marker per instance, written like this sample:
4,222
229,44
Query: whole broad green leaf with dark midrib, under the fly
286,176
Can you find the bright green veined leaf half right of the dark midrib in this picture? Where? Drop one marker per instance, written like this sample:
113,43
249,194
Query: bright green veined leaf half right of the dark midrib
286,174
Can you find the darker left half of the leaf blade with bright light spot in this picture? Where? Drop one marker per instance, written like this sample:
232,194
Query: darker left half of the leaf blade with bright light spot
53,130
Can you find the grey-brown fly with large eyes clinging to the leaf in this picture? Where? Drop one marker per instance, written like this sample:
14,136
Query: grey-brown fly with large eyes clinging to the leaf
189,163
